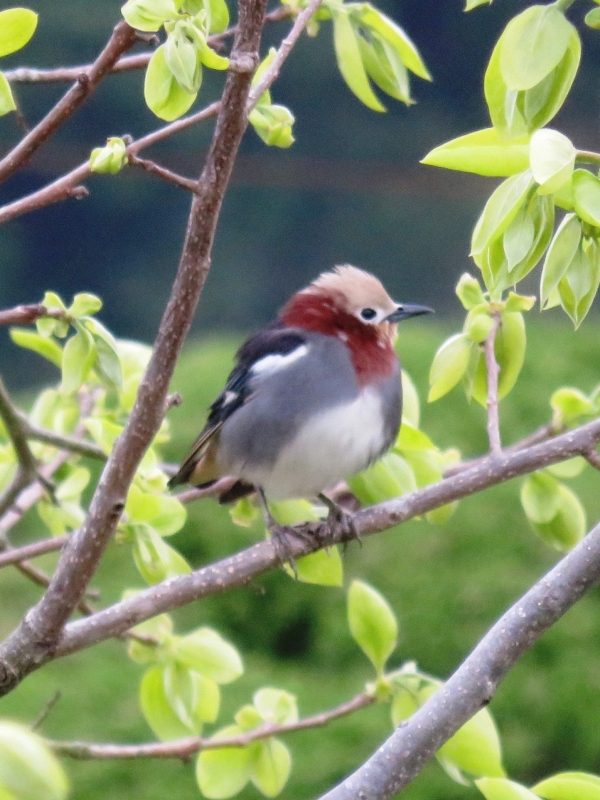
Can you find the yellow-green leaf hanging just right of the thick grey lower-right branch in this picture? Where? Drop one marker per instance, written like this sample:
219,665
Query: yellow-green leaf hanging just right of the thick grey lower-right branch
475,748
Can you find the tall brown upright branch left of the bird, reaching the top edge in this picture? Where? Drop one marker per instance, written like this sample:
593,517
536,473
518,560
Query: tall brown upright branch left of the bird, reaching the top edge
37,636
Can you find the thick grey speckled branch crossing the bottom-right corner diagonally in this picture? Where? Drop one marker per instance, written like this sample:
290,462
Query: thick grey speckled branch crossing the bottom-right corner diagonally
473,685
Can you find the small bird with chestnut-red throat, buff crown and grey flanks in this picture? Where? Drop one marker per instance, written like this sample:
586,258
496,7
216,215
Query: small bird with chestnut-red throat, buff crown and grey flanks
314,398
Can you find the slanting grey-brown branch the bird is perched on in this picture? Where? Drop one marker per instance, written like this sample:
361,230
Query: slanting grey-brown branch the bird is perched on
245,566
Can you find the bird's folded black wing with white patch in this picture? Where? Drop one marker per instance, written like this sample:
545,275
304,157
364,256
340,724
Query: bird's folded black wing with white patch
263,353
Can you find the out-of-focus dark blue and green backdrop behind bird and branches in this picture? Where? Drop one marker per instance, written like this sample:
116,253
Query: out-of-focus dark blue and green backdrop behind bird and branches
350,189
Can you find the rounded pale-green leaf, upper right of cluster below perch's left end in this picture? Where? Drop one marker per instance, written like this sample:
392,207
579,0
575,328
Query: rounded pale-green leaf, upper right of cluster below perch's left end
210,655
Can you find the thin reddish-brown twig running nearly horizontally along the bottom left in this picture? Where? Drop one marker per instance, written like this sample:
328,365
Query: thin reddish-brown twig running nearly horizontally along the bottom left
184,748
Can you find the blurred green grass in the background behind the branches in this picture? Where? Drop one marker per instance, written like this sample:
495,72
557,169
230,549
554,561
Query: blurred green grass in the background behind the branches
447,585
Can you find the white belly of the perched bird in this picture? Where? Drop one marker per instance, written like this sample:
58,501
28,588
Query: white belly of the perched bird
334,445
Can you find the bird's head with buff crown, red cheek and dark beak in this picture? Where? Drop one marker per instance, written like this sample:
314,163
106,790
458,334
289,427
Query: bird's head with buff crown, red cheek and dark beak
349,303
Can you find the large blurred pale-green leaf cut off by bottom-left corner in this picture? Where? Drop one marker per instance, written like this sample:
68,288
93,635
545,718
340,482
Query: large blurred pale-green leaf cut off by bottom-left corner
28,768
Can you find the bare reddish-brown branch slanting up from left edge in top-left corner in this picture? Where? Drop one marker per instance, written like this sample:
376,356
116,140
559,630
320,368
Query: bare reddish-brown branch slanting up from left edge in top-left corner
123,37
